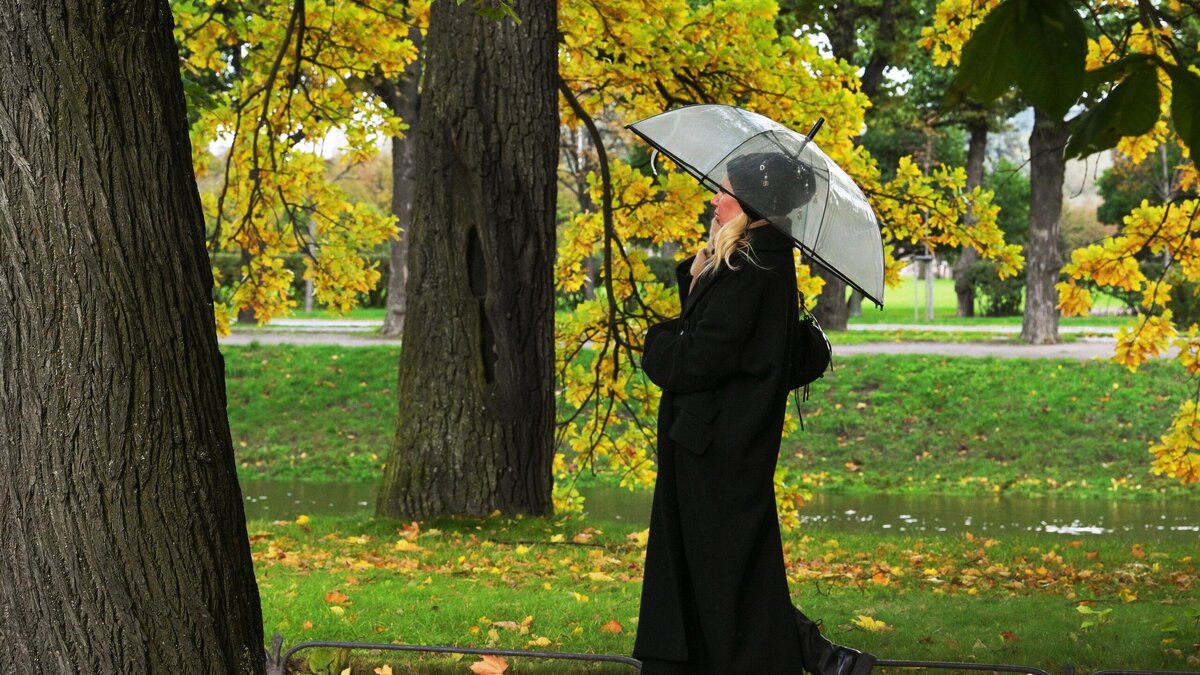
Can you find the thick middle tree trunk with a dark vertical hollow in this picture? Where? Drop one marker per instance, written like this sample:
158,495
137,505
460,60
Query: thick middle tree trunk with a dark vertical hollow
475,433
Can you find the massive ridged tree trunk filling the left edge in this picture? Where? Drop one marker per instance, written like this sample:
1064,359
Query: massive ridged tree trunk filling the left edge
123,540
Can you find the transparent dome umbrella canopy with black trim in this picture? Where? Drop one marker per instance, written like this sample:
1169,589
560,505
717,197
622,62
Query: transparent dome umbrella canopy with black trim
782,176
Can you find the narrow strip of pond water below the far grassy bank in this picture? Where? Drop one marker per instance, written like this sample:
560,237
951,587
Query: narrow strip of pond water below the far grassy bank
1177,521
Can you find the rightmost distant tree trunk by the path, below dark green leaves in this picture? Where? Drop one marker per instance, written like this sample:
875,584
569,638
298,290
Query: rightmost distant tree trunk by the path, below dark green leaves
1042,259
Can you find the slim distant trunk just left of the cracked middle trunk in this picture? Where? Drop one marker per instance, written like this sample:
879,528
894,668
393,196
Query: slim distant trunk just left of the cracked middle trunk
405,100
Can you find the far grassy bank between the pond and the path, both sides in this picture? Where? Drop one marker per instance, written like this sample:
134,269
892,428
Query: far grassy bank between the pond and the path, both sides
891,423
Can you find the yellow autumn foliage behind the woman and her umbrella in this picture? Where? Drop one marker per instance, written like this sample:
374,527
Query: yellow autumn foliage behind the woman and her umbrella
626,61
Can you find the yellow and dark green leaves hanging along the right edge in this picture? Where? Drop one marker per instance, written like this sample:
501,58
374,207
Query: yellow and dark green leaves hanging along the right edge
1142,87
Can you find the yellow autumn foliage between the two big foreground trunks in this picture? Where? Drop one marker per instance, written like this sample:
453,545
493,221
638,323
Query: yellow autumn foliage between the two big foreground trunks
274,80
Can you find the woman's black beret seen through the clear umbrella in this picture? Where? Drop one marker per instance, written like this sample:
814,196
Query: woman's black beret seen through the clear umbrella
770,184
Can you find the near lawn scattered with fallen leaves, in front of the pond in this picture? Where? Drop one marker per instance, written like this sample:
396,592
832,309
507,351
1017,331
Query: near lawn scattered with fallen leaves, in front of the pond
561,587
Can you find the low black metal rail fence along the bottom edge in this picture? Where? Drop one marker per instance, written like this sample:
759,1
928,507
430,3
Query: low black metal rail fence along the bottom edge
278,660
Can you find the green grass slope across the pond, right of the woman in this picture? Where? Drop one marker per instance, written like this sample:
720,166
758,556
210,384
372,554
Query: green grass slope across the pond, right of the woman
969,426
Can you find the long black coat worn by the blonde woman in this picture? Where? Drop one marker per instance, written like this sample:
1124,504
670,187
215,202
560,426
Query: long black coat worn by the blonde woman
716,598
